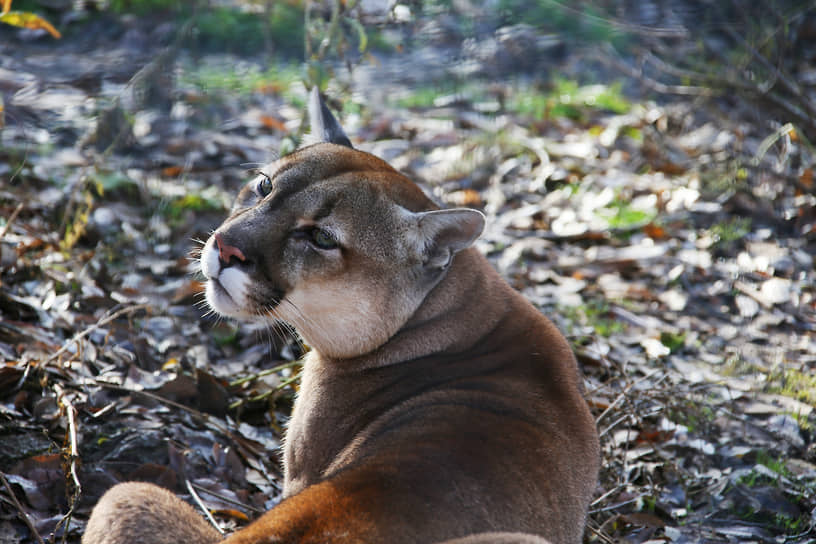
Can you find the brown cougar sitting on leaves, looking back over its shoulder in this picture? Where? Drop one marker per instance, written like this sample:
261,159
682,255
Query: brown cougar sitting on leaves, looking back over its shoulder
436,403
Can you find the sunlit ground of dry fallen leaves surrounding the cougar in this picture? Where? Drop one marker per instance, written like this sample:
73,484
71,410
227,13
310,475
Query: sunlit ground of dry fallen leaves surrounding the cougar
671,239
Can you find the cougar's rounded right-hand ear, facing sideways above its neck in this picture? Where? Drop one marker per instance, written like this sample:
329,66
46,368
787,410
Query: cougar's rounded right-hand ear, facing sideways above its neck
445,232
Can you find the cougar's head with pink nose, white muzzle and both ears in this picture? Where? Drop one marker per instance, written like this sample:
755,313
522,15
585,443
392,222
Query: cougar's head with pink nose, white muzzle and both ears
333,241
